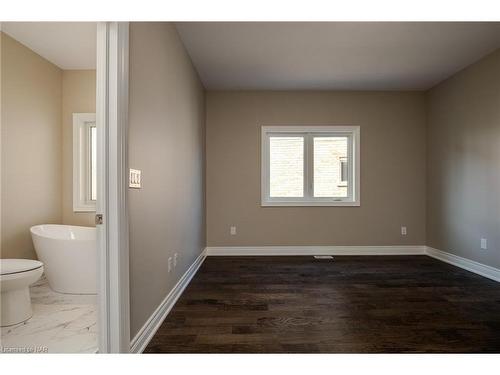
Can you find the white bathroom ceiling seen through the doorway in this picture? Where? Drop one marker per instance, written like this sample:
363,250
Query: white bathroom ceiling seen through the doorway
69,45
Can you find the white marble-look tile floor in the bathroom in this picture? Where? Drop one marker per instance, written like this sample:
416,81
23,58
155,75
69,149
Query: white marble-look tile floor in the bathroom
61,323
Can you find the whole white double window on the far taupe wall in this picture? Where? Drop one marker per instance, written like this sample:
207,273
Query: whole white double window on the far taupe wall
310,166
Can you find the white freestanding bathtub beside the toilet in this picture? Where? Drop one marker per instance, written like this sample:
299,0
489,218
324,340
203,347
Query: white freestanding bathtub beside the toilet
69,255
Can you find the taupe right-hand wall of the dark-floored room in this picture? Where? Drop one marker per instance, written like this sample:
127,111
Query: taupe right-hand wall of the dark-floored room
463,164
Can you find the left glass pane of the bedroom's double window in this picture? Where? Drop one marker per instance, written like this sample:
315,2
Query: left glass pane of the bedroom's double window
286,166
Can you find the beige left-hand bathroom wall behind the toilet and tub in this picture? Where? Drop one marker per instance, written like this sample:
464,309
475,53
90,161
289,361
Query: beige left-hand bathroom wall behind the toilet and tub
31,146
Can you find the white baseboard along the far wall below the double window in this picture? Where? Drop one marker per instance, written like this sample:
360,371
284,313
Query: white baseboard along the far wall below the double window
314,250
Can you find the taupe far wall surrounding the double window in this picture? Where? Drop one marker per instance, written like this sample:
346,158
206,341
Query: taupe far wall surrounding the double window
392,169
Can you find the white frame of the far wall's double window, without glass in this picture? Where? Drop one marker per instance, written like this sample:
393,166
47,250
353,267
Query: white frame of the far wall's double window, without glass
308,132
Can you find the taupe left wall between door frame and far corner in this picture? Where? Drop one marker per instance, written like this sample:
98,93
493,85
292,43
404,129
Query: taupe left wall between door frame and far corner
166,142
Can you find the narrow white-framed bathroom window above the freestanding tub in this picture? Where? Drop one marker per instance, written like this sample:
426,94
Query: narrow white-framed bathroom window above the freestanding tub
84,162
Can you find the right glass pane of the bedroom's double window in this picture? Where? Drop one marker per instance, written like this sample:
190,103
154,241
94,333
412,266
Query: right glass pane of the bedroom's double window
330,167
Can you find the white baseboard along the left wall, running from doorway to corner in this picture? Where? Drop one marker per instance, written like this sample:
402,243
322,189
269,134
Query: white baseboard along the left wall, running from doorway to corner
146,333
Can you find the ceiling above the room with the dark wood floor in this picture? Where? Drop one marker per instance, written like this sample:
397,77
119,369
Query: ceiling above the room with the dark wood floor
334,55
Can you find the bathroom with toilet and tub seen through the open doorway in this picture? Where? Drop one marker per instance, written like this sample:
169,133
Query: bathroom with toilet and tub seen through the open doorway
48,187
